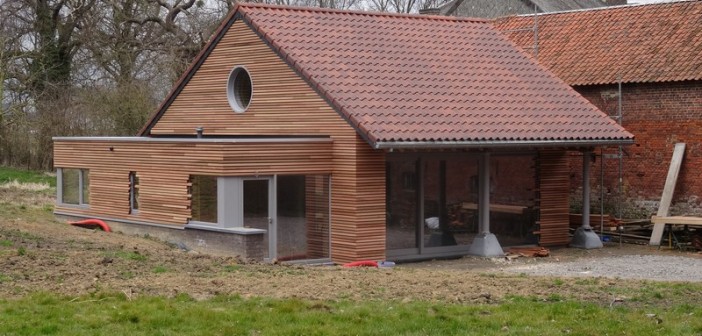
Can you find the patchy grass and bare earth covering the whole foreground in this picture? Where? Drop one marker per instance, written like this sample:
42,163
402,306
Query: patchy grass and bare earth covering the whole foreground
43,260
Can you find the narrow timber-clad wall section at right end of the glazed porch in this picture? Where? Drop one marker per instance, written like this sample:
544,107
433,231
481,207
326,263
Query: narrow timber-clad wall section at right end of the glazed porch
554,182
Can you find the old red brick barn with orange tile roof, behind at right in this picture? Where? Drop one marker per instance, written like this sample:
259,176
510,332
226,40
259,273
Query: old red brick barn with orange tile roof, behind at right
655,51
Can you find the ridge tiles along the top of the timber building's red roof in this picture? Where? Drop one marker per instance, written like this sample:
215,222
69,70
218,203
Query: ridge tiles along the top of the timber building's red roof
363,13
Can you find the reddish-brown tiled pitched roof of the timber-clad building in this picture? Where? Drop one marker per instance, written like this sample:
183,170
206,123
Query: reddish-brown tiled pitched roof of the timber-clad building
426,81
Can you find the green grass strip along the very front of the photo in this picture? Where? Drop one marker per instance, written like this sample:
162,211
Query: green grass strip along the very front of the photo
47,314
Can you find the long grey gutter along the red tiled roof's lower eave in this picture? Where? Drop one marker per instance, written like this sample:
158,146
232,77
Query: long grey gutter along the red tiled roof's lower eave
391,145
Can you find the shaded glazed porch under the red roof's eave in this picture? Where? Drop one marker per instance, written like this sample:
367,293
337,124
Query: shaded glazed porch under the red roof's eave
475,203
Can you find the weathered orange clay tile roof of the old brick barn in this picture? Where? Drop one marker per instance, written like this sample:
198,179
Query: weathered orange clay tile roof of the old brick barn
643,43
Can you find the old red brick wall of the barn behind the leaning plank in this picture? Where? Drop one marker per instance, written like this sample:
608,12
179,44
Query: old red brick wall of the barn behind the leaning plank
659,115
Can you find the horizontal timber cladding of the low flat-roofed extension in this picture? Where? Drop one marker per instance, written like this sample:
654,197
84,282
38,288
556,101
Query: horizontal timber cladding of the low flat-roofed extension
164,169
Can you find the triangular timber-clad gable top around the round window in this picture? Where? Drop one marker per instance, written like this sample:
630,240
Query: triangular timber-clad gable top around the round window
282,103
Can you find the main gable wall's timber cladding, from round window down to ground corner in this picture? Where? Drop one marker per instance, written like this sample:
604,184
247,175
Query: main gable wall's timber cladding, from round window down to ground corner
284,104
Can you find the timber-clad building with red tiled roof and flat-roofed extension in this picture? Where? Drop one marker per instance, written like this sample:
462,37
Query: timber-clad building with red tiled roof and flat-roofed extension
322,134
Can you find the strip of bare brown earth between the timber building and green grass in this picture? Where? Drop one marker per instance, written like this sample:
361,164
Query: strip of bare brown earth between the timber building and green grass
38,253
